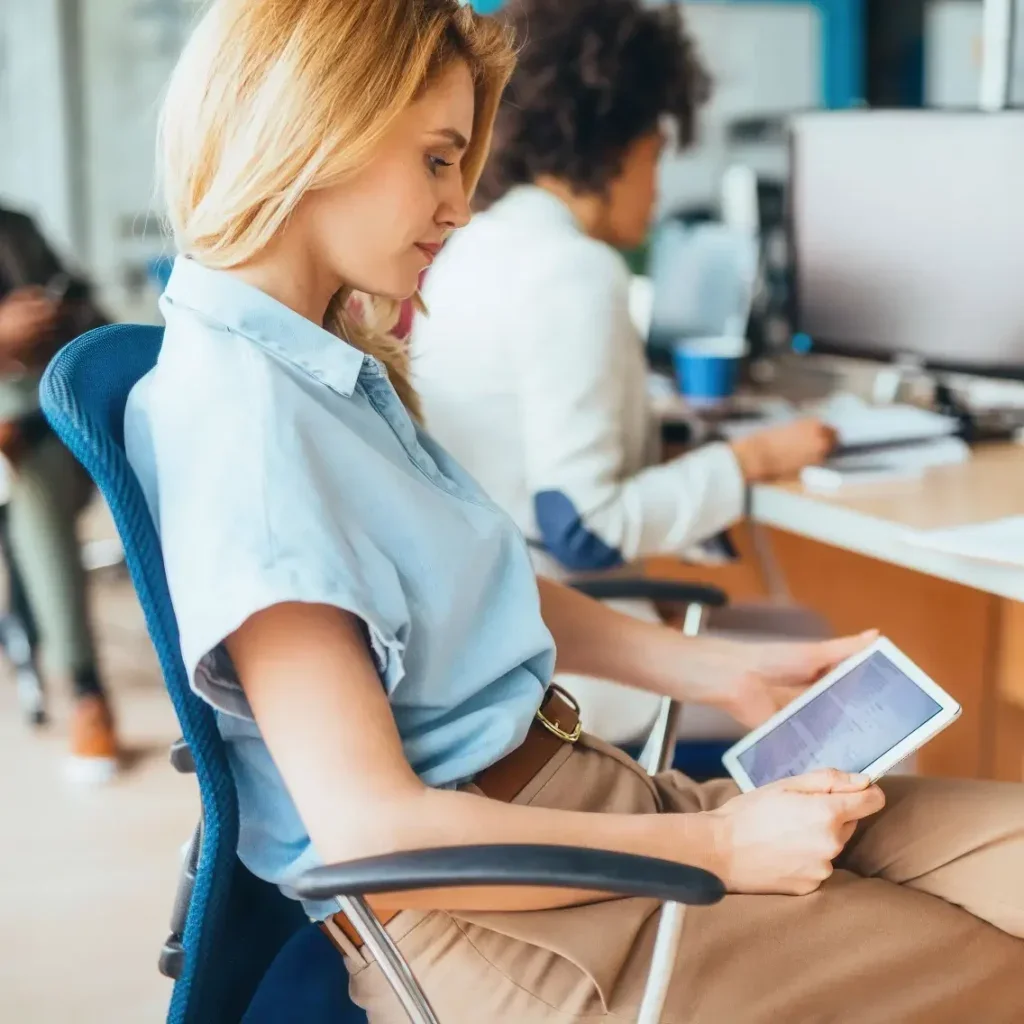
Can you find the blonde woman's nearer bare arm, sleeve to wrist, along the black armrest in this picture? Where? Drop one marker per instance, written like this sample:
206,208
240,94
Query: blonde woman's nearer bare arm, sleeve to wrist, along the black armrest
326,719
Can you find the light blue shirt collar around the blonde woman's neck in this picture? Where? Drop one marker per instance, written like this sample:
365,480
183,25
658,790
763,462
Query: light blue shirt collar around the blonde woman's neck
245,310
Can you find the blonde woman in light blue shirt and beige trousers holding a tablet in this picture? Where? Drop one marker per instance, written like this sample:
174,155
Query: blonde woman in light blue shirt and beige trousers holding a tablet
369,627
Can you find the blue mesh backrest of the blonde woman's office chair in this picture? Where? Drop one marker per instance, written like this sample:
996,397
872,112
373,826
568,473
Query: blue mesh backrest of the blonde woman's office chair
236,924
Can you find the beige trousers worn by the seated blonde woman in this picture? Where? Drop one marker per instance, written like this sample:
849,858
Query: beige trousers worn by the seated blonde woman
922,924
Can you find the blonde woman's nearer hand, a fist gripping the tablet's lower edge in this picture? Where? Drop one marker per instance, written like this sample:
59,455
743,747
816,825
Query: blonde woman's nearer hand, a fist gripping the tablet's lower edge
784,838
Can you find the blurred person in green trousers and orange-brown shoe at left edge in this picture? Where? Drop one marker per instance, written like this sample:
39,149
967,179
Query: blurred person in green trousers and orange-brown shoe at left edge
41,308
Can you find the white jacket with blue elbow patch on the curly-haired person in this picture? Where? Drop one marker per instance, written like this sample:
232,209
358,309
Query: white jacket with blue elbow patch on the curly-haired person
534,377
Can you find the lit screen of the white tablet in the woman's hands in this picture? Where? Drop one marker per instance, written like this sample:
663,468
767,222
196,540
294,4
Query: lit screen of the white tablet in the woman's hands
847,727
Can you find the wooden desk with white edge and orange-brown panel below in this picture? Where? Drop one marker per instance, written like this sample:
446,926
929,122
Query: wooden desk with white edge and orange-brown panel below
846,556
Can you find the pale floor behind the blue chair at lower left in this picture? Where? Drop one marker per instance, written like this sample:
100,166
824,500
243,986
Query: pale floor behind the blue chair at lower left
88,877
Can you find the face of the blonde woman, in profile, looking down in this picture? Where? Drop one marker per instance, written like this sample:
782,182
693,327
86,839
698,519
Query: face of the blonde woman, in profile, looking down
378,231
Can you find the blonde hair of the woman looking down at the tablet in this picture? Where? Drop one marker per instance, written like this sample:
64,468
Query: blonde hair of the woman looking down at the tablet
273,99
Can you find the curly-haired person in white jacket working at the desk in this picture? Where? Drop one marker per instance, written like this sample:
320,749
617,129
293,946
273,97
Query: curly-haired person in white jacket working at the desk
529,366
